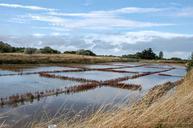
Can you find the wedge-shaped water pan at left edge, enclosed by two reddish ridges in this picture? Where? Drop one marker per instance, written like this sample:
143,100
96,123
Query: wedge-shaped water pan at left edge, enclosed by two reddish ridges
29,83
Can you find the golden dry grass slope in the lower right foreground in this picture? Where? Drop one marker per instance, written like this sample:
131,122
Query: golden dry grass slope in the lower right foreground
163,106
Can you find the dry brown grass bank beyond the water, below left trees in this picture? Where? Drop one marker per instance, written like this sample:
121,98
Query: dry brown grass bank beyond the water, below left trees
19,58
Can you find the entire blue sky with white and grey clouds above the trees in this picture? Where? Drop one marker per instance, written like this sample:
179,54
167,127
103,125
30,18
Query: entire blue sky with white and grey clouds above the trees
110,27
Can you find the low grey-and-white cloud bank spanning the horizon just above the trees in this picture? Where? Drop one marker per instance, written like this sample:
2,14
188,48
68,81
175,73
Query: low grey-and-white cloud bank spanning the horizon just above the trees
172,44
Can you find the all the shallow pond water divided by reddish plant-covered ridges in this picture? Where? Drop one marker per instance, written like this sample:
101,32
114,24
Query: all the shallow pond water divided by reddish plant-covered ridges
82,102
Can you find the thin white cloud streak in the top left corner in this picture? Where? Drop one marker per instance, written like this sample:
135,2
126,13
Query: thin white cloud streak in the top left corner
26,7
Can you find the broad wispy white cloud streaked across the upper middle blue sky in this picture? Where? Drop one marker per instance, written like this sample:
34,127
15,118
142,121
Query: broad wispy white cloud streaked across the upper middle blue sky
105,22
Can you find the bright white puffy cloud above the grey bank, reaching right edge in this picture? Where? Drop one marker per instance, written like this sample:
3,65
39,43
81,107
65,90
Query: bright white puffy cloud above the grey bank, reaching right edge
136,37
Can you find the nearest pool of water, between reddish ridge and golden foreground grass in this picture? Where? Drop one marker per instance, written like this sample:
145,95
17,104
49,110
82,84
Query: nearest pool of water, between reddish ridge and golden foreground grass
70,104
